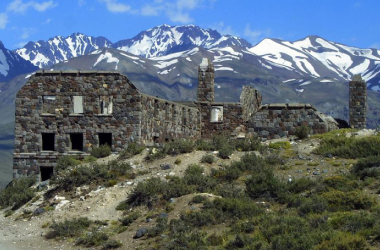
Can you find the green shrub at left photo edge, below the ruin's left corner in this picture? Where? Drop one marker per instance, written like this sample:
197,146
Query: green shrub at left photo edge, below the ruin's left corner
18,192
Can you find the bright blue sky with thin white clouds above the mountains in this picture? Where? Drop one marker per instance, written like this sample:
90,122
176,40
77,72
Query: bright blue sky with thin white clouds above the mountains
351,22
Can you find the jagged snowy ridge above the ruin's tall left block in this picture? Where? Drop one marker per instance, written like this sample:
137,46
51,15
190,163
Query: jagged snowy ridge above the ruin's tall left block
58,48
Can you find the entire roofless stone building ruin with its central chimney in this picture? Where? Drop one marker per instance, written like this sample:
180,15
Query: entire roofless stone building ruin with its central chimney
66,113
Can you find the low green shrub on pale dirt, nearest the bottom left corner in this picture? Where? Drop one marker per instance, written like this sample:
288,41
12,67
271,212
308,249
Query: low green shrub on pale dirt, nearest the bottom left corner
68,228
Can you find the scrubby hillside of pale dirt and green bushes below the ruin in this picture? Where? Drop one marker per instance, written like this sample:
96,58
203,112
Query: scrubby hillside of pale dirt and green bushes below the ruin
324,196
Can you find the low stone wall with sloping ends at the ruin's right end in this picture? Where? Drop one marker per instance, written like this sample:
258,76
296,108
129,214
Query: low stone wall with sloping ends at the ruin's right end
280,120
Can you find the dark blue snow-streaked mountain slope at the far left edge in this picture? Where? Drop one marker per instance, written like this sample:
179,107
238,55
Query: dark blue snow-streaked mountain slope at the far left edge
11,64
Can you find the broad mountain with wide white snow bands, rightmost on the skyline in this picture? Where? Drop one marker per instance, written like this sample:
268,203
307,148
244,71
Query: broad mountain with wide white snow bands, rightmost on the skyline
317,57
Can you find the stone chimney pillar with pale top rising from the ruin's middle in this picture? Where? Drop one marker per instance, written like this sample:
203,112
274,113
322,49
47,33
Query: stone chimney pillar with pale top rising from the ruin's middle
205,81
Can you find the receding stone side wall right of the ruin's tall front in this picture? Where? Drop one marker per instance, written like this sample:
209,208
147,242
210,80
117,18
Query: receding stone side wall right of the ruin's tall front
162,121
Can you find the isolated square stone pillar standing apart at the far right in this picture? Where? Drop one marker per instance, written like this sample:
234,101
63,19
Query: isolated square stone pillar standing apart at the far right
358,103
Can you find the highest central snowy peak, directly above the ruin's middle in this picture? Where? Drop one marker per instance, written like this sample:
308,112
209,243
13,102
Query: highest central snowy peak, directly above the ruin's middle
165,39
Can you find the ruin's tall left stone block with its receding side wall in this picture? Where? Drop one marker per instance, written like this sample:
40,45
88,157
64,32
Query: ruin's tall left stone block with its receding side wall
107,102
